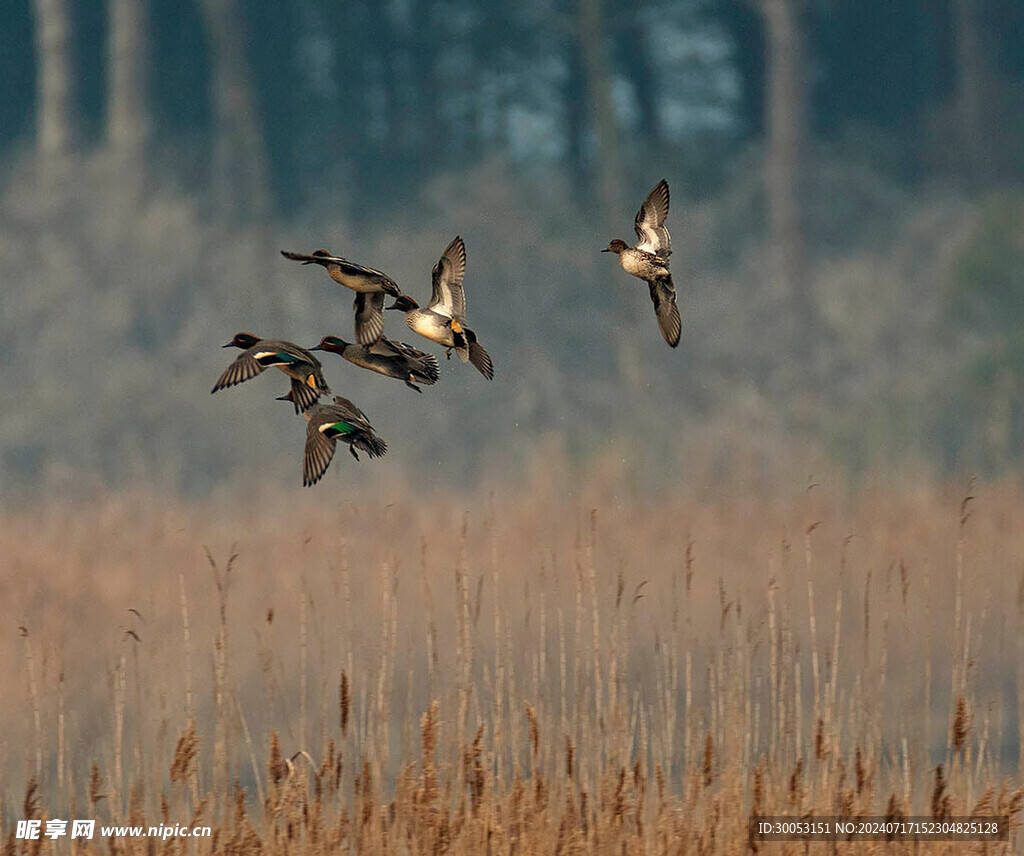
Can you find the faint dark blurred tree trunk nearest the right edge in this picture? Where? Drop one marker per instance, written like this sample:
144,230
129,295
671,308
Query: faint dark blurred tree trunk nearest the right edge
972,82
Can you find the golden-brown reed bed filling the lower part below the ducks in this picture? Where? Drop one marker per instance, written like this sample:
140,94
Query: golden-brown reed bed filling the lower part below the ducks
568,665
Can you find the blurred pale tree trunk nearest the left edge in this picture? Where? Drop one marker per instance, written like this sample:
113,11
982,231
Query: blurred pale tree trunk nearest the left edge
56,108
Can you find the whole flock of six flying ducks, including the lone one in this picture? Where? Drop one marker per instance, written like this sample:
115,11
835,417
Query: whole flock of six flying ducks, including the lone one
443,322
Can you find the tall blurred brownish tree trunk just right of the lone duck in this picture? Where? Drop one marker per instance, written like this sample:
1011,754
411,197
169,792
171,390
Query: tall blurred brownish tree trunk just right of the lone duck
787,129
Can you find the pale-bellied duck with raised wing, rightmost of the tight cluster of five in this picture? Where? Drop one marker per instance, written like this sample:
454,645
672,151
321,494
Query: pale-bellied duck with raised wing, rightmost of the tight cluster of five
444,321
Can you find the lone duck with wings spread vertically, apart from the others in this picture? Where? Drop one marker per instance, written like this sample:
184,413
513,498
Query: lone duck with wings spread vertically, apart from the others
649,261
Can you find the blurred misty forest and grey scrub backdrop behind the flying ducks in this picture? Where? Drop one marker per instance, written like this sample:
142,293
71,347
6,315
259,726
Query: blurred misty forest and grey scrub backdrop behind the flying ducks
848,216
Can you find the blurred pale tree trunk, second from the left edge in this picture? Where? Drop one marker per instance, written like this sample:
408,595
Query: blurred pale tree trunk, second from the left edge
127,116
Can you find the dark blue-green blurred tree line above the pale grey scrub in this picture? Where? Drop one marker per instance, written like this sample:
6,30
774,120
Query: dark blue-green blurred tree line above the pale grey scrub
383,97
